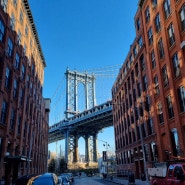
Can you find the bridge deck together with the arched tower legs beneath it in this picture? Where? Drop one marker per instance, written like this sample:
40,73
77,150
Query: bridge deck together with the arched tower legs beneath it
86,124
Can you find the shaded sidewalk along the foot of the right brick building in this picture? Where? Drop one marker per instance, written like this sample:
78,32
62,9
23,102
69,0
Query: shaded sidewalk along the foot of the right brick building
123,181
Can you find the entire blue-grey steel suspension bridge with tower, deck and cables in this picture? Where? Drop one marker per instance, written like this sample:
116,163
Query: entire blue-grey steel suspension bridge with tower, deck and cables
87,123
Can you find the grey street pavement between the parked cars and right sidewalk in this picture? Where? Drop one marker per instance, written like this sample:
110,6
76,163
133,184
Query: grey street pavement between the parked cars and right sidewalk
84,180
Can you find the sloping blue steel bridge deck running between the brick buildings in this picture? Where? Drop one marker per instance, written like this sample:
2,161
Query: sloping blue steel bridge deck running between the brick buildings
89,121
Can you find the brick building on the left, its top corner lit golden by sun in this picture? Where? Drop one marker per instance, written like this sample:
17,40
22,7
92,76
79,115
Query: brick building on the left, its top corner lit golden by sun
24,113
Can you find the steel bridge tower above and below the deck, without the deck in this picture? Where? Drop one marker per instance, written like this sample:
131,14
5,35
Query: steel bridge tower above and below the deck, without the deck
73,79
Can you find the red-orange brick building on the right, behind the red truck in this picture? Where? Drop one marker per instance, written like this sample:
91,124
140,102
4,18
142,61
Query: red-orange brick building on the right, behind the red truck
149,93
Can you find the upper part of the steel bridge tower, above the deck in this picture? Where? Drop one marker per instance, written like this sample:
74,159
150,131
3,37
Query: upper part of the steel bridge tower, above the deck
73,79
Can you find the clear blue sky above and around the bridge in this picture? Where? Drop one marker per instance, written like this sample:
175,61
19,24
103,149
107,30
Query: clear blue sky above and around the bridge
83,35
